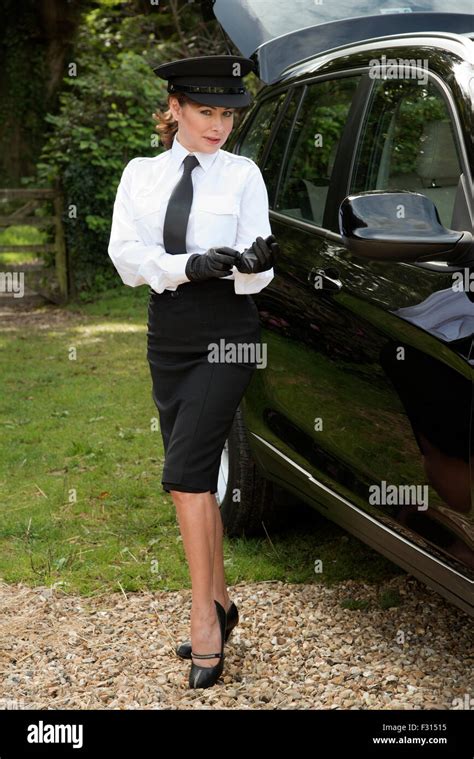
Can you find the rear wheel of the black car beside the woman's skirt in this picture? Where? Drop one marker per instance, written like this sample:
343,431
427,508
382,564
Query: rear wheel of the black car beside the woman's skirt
249,503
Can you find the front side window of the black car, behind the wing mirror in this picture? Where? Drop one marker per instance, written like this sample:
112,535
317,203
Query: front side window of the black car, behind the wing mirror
407,143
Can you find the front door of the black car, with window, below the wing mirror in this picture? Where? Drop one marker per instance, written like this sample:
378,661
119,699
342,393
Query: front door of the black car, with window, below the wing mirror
420,325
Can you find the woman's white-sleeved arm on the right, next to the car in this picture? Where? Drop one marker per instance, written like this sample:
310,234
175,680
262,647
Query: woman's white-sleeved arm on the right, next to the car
253,223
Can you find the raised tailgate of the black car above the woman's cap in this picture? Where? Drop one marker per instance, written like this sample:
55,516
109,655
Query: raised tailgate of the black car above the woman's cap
280,33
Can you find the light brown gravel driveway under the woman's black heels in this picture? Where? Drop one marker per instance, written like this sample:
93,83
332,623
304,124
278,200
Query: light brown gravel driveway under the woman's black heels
296,647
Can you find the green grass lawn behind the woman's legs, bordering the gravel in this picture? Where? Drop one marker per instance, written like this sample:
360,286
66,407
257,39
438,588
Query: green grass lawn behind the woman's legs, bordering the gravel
80,475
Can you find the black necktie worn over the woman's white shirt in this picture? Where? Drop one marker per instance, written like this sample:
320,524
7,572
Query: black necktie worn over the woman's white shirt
178,210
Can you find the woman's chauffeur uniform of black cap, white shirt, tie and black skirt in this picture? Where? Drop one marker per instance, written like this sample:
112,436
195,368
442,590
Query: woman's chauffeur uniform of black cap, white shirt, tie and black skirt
222,202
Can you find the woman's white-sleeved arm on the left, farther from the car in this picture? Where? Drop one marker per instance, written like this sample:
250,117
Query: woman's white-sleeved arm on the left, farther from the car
136,262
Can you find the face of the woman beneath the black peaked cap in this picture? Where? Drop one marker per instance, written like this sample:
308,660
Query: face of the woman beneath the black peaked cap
202,128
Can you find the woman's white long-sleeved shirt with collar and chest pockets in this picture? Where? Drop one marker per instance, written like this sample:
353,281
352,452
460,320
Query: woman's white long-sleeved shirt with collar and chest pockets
230,207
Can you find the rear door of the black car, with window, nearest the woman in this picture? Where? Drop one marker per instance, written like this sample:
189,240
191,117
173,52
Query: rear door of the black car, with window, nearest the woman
283,405
